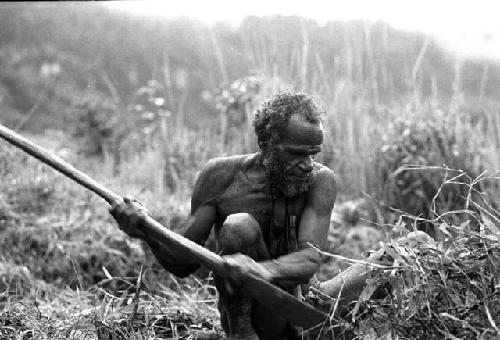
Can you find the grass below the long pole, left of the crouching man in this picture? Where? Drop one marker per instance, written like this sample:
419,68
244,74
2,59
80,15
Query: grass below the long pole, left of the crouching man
67,272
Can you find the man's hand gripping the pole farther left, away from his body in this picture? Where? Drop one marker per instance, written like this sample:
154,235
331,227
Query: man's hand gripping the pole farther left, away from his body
129,214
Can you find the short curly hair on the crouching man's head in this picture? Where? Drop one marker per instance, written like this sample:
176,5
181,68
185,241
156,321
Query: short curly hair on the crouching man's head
272,117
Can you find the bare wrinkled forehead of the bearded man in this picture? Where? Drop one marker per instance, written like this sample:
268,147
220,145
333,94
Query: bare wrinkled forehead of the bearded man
303,132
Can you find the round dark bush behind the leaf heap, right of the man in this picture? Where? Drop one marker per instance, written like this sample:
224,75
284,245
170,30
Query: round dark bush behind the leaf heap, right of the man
427,167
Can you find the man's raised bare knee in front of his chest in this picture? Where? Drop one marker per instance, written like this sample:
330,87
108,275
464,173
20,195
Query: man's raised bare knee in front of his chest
239,234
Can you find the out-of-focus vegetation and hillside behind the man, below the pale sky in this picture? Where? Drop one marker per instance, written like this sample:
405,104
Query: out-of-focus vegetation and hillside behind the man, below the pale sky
141,104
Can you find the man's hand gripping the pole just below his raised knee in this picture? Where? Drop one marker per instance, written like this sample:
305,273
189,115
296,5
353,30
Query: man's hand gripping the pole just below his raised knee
238,265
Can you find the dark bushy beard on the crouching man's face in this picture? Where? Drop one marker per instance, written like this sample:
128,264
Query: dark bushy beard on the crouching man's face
276,173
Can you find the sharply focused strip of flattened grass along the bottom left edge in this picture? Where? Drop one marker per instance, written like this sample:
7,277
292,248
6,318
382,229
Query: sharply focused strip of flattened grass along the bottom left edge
33,309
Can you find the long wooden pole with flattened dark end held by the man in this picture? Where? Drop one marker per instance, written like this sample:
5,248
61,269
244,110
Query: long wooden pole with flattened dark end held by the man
273,297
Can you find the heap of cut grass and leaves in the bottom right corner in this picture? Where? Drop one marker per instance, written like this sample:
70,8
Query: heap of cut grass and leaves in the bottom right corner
439,290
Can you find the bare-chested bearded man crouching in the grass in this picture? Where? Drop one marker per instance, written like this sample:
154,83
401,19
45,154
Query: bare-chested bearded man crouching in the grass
269,209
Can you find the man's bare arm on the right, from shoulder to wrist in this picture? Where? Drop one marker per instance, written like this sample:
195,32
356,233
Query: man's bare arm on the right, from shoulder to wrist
299,266
